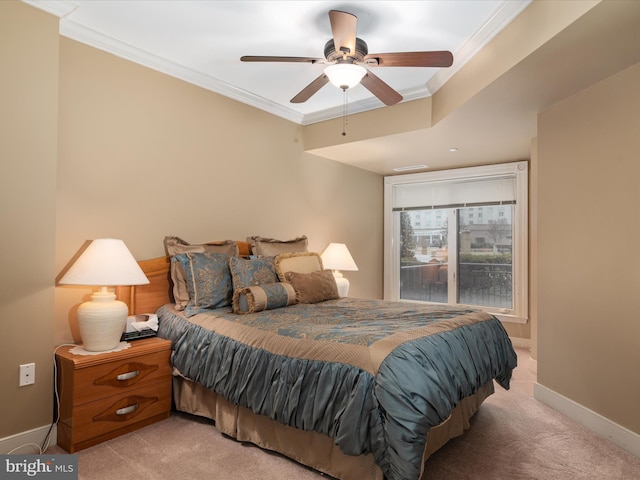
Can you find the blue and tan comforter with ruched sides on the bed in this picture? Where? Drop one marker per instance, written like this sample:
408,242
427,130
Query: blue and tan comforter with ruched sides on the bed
373,375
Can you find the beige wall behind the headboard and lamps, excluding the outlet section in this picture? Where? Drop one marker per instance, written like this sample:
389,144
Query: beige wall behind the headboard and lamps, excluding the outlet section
143,155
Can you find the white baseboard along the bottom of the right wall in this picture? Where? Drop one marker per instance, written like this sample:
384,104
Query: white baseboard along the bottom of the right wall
621,436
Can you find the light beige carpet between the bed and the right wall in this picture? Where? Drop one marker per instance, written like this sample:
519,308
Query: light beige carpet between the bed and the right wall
515,437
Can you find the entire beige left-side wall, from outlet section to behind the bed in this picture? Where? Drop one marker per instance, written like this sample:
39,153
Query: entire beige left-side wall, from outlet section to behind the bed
140,155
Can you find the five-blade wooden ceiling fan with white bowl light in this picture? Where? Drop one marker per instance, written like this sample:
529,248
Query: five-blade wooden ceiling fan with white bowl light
347,55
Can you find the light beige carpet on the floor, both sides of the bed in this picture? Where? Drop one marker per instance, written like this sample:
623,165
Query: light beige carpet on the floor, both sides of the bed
513,437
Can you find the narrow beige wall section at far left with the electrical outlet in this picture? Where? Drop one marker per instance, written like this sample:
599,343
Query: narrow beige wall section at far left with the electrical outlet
28,135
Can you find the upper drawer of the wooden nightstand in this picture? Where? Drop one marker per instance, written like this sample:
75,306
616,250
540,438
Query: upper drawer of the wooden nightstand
100,381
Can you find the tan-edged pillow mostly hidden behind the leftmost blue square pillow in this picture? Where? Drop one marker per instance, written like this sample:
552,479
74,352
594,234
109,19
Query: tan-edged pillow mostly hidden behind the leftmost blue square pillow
175,246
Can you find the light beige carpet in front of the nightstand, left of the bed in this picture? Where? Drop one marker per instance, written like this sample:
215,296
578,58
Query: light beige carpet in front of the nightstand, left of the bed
184,447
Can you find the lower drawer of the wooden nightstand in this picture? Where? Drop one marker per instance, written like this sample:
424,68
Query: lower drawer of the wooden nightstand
118,412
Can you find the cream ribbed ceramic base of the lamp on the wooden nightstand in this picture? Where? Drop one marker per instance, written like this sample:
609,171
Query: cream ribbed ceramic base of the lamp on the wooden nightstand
102,321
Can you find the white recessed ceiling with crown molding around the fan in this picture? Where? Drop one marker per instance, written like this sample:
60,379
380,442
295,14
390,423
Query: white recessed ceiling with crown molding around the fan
202,41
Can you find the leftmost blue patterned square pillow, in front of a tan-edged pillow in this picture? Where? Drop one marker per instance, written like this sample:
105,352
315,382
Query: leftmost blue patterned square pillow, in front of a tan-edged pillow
208,280
